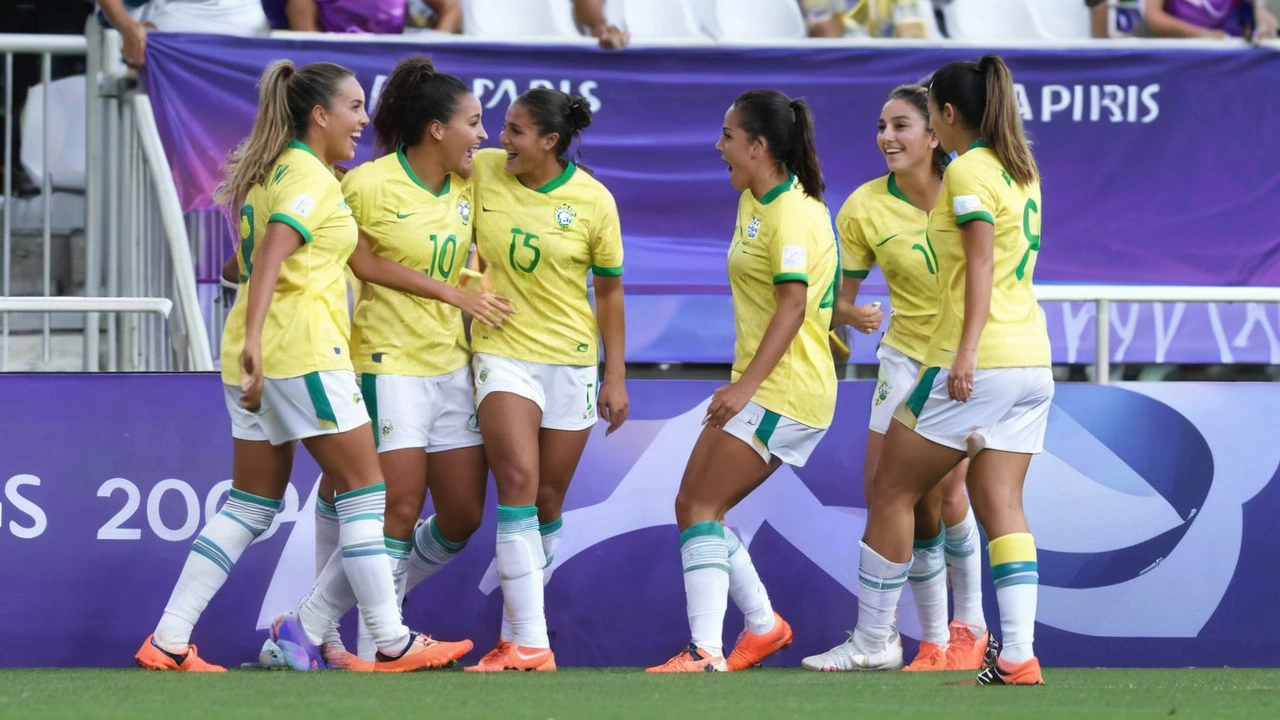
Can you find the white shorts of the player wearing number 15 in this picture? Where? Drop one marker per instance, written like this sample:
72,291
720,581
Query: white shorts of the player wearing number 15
565,394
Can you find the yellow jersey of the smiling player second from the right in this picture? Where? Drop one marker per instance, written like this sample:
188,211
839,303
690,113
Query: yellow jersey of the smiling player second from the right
880,226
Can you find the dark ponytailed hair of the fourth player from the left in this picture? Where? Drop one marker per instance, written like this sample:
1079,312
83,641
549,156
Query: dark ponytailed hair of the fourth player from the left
787,127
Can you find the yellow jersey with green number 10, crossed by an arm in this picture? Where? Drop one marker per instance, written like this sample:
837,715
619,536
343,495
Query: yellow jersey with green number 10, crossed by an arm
397,334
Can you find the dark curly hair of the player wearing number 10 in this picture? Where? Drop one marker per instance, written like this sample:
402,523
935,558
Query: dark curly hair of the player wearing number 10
414,98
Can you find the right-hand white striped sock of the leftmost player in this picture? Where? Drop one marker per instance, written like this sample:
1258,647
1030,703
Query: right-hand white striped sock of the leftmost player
364,558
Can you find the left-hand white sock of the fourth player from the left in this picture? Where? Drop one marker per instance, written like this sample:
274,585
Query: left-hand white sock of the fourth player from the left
705,557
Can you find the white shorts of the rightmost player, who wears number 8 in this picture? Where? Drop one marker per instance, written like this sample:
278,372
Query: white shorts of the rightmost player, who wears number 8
1008,411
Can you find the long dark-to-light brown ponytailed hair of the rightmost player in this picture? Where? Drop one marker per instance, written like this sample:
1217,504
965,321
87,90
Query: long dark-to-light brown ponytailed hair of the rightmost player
984,95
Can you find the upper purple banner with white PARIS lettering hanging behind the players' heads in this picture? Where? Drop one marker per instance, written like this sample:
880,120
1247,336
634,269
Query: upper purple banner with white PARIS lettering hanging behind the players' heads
1158,165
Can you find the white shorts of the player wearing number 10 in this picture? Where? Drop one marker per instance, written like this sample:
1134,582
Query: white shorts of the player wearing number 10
436,413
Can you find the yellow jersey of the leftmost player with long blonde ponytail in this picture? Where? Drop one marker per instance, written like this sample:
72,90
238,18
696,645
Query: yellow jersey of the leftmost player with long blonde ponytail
308,325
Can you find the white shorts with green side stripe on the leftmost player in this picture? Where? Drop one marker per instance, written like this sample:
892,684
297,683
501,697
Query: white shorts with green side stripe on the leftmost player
317,404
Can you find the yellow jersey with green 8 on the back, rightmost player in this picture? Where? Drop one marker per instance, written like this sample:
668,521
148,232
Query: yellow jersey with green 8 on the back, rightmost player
977,189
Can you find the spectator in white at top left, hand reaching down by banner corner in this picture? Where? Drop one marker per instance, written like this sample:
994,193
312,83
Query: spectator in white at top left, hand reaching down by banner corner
218,17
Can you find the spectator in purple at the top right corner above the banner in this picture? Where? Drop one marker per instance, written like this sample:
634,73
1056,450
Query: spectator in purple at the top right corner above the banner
1210,19
